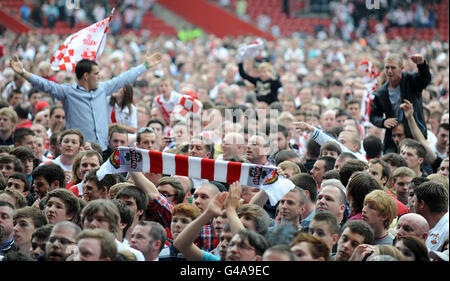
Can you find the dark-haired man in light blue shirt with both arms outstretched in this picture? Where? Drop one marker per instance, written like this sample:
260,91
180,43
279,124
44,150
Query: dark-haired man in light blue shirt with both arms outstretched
77,98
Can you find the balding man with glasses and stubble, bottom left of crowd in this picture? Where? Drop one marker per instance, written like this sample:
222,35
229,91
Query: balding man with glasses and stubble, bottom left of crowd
62,241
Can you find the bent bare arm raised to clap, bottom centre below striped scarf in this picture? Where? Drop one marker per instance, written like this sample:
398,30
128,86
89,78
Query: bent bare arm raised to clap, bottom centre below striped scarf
185,240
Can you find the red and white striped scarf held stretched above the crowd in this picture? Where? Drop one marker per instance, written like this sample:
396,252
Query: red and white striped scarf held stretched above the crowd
130,159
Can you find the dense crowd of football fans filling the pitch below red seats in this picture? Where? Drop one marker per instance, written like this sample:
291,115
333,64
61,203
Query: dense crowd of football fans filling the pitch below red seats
369,161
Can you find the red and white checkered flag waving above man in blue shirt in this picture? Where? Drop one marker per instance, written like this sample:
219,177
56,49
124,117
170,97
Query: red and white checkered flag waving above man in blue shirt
87,43
